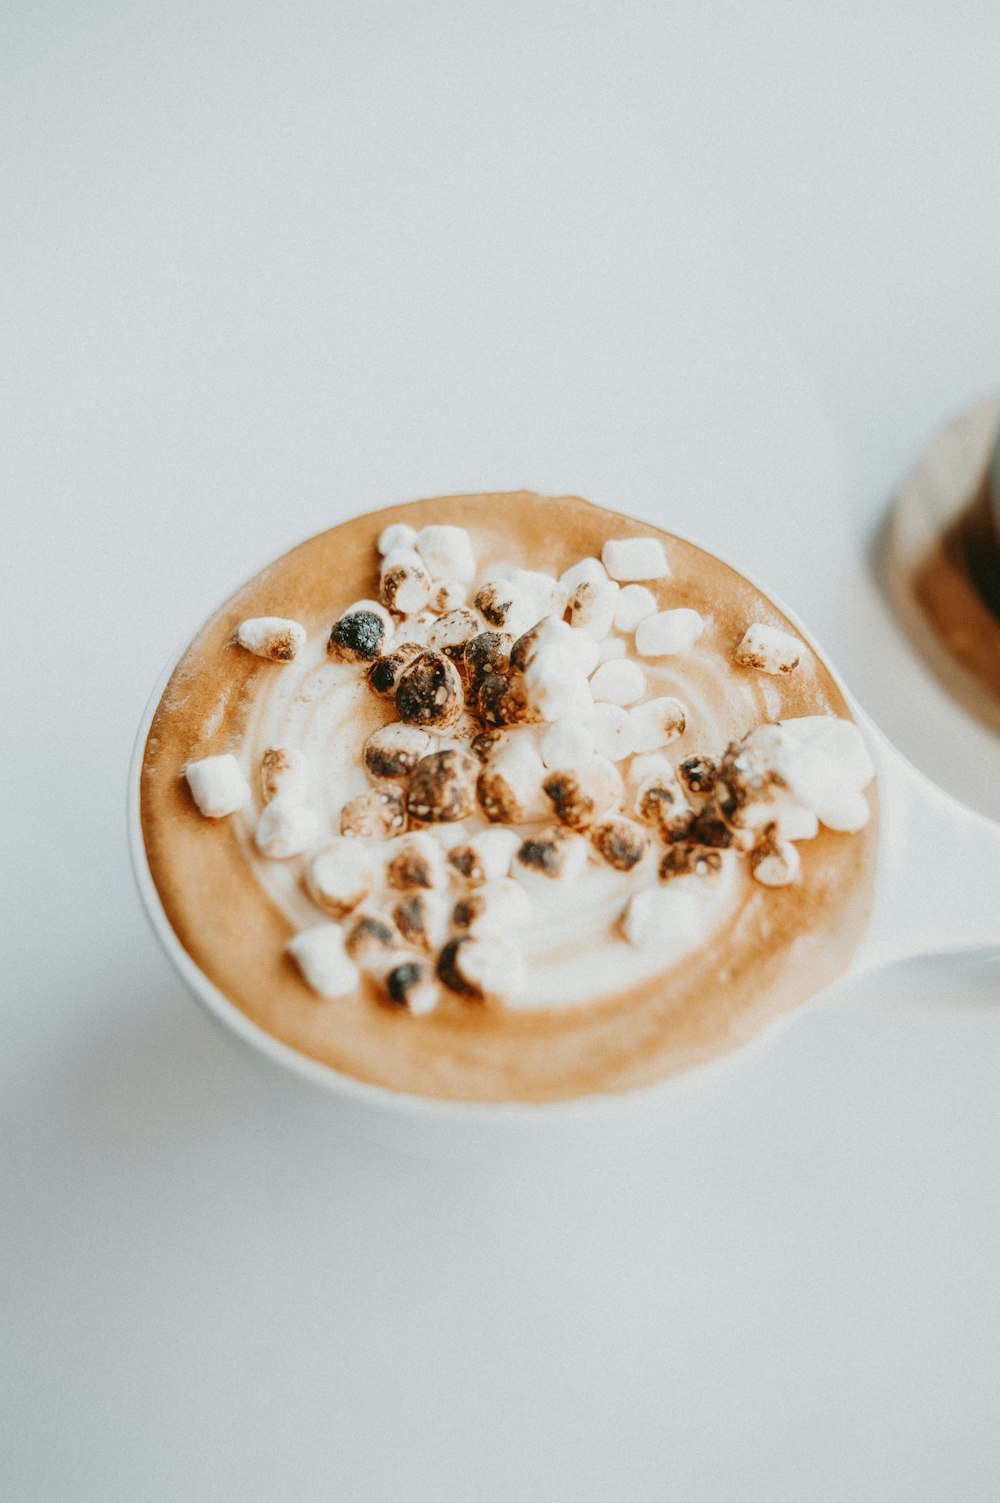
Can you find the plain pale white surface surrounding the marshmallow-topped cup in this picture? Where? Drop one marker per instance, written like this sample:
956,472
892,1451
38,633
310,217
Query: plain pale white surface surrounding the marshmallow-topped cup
724,267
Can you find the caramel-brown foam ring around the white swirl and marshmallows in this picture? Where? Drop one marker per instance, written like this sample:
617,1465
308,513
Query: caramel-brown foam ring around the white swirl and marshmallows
780,949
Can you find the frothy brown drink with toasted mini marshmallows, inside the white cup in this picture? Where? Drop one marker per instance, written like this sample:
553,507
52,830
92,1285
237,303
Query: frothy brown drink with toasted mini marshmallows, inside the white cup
508,797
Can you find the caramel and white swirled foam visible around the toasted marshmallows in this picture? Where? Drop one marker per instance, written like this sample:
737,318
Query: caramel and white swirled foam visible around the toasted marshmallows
595,1012
